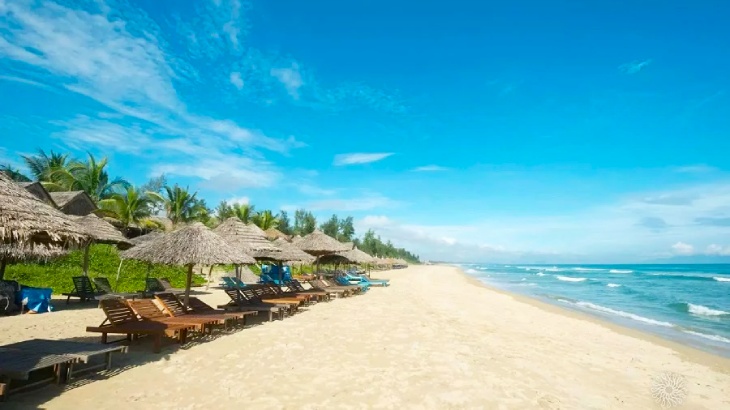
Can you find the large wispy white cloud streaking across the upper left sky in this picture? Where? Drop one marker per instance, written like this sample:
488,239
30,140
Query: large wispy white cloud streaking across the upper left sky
127,66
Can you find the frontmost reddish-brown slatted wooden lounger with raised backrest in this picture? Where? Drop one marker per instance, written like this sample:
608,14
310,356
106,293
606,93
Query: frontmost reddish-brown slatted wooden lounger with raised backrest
123,320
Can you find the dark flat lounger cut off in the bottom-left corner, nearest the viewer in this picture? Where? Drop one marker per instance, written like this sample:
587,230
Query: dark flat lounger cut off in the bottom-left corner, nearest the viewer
18,365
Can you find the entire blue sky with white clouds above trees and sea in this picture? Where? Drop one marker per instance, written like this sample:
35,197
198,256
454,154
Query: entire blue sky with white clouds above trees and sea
560,131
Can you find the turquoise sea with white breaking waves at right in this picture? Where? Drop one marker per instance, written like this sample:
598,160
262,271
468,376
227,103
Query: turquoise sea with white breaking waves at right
685,303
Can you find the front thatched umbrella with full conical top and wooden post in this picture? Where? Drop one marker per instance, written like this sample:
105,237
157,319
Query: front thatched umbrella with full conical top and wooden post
189,246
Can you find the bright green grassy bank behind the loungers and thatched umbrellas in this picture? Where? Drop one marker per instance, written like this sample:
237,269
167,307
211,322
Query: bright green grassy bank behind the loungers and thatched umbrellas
103,261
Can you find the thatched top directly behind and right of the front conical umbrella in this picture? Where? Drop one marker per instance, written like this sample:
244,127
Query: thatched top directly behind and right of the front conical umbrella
249,238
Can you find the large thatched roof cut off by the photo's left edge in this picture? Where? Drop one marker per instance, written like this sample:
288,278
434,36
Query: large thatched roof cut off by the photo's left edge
25,218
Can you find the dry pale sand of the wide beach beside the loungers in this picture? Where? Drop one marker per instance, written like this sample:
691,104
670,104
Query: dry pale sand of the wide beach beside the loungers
434,339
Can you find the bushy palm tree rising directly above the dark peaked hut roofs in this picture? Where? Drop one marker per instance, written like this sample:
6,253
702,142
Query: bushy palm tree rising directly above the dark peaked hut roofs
91,177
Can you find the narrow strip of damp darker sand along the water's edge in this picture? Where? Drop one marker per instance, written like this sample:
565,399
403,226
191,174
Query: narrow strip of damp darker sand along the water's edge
690,353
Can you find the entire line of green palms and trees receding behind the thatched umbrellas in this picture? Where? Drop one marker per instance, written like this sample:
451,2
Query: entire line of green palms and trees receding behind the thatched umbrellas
138,206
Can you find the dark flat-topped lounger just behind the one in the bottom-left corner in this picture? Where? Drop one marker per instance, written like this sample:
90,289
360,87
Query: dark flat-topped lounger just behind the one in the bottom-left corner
82,352
